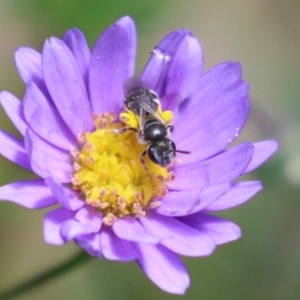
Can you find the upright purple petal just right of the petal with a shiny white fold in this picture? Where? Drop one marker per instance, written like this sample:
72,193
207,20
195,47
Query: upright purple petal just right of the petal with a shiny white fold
183,77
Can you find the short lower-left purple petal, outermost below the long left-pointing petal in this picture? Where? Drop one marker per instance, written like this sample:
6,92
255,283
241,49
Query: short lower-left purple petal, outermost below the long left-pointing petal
52,225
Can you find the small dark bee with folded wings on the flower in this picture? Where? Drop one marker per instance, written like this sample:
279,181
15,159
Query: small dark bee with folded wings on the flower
152,129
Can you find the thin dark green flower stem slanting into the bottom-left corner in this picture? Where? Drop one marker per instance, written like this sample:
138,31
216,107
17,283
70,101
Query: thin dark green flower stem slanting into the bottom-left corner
75,261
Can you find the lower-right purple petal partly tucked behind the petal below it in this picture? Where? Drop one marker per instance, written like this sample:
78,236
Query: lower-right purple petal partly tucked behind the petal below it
220,230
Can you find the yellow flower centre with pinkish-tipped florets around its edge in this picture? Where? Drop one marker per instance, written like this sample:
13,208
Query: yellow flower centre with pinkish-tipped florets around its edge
109,173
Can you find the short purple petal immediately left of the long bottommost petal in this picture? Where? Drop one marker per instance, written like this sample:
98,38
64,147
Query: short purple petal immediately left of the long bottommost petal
114,248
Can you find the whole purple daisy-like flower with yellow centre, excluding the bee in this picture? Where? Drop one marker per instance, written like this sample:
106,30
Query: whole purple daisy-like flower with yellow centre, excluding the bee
112,204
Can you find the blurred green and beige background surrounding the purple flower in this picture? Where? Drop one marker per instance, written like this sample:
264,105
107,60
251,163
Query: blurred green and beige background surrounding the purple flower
264,35
